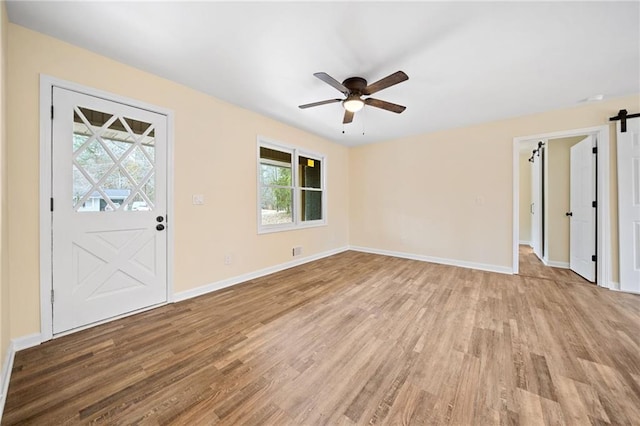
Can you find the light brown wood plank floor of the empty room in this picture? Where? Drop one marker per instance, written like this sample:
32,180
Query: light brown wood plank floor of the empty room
351,339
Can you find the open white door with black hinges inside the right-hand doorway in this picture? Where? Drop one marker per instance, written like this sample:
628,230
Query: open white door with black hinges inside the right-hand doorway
582,228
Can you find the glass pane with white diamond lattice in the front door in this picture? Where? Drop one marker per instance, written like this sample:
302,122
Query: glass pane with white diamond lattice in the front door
113,164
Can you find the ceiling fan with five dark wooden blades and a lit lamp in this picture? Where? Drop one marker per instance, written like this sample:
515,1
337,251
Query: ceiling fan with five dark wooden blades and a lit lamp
354,88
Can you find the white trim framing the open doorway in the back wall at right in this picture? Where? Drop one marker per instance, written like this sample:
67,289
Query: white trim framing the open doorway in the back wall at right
604,237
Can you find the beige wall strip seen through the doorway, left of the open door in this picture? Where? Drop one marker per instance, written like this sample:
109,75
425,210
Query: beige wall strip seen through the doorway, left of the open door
559,164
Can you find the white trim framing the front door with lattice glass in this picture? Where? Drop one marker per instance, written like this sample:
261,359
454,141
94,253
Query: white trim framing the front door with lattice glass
46,86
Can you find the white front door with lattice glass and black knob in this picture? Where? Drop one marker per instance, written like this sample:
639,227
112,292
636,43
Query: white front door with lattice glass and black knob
109,186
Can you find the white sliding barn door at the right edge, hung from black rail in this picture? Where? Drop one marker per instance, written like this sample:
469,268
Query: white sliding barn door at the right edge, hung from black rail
629,204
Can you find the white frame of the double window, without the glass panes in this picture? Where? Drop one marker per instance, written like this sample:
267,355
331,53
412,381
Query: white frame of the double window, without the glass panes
295,152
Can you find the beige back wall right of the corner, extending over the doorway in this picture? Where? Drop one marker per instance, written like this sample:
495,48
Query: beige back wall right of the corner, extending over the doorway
449,194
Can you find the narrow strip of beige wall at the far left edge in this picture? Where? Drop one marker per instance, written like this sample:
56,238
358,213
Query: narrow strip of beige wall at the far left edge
4,236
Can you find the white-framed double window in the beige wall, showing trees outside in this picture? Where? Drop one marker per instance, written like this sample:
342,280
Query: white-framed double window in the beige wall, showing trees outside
290,189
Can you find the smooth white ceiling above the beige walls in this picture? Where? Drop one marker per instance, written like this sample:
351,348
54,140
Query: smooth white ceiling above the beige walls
467,62
